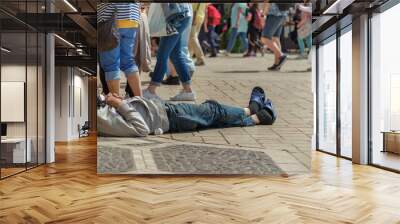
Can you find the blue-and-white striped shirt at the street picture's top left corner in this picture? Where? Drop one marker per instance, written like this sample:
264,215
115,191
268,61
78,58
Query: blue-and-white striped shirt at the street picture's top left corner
125,11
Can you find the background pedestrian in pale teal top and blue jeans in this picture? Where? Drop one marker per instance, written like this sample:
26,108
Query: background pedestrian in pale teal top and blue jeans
238,27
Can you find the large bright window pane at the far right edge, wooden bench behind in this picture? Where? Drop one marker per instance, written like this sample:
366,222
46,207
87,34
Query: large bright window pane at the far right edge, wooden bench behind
386,89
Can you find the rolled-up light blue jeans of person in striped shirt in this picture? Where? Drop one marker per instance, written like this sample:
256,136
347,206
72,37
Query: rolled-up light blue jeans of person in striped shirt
122,57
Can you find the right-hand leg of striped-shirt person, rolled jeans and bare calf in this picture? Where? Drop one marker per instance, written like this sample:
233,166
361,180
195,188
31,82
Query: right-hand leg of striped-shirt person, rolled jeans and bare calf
128,62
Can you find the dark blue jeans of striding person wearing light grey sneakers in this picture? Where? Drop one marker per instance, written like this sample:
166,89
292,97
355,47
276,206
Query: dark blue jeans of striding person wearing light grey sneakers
172,47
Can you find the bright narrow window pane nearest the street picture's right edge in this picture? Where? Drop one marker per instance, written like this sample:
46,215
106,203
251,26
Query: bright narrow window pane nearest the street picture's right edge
327,97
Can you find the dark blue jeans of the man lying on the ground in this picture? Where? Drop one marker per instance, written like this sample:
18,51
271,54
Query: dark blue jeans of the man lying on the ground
210,114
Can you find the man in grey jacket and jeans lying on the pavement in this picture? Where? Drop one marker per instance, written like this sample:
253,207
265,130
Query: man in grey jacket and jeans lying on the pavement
139,117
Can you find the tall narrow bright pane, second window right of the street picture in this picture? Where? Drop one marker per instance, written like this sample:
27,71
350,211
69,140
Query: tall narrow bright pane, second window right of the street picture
346,93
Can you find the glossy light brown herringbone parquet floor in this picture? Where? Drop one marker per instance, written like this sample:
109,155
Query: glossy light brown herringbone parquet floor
70,191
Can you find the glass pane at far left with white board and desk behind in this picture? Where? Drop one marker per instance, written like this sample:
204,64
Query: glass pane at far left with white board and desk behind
13,86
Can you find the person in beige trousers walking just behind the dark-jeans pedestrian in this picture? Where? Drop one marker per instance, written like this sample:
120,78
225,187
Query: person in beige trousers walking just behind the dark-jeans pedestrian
199,12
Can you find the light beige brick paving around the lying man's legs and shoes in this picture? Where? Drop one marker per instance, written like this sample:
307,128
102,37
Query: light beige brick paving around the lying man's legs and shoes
229,80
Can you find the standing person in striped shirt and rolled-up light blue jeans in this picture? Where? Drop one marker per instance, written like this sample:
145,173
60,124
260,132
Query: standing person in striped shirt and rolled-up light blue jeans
121,58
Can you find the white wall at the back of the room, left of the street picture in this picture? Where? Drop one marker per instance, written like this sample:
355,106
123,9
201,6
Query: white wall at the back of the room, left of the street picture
69,82
